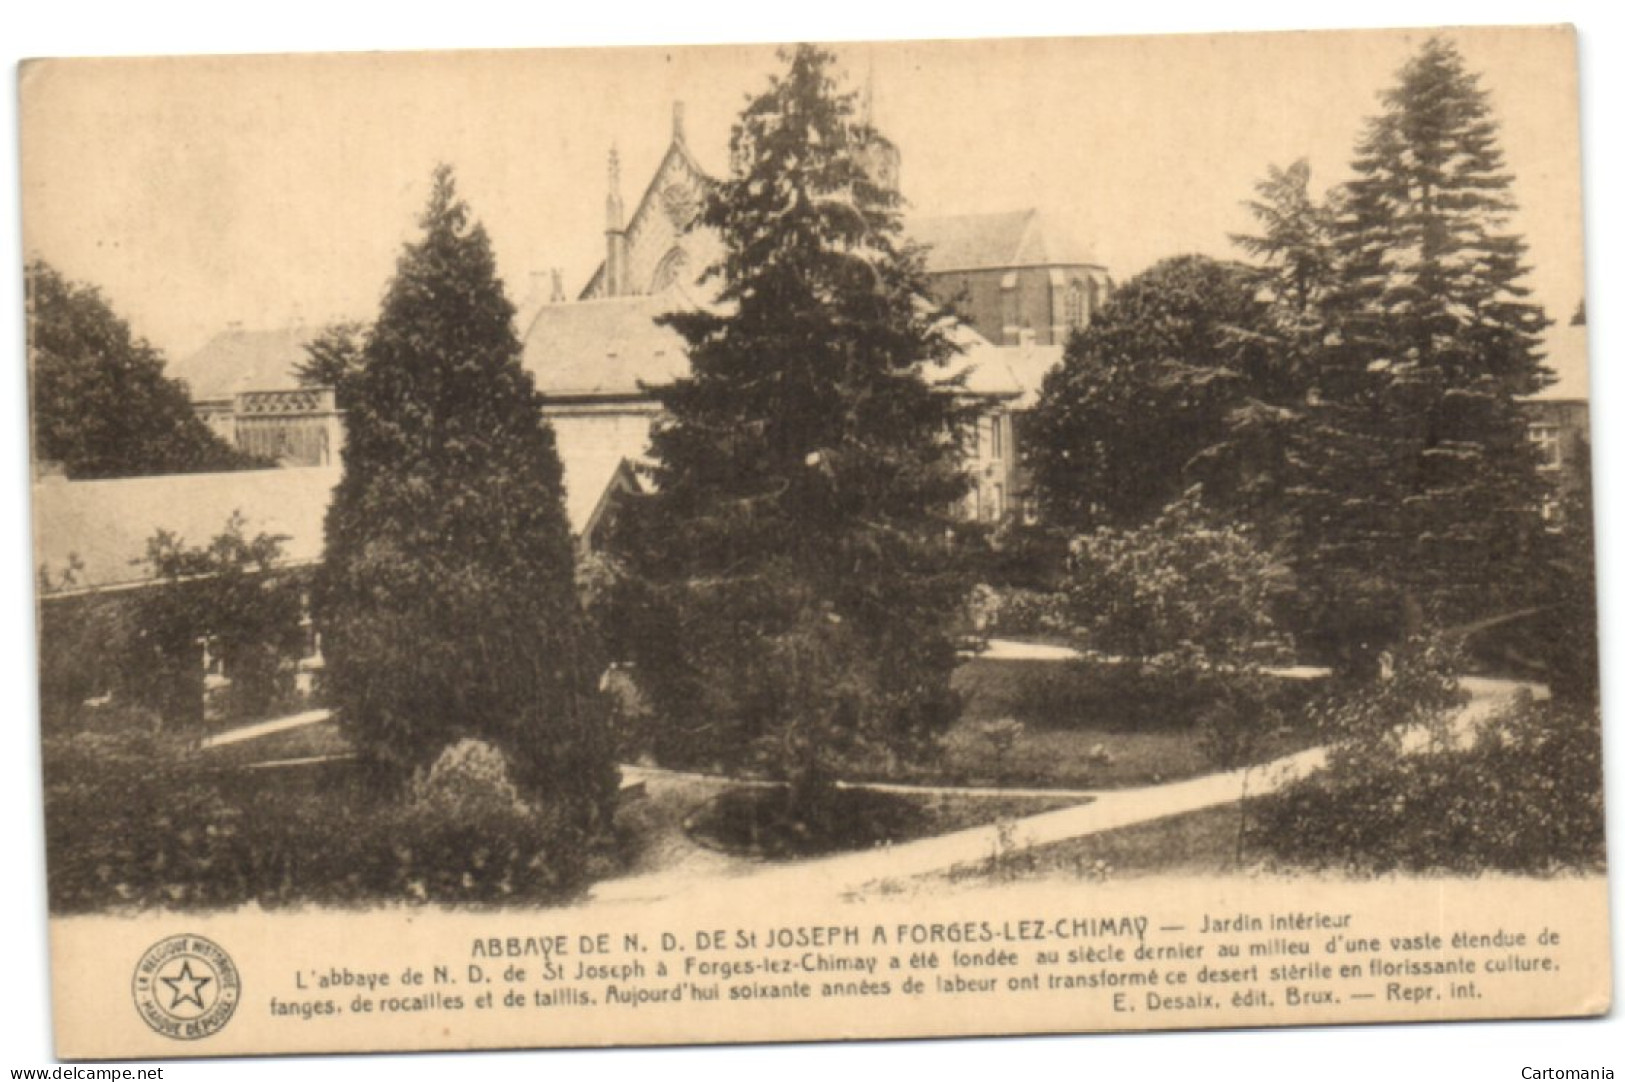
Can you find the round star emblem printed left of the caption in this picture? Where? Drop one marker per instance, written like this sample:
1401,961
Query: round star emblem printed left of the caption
186,987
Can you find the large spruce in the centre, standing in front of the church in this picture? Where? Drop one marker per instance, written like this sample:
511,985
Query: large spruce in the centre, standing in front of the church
792,584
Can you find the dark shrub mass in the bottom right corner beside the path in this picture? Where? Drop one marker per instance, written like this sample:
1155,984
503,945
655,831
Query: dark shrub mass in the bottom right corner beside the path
1523,794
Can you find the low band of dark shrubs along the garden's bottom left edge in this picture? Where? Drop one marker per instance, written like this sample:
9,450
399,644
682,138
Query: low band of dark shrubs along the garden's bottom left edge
136,820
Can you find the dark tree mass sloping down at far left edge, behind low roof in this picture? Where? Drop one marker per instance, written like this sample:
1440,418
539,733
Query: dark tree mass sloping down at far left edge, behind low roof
103,405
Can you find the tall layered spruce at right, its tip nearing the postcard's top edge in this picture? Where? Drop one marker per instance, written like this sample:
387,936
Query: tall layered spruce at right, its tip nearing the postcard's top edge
1419,498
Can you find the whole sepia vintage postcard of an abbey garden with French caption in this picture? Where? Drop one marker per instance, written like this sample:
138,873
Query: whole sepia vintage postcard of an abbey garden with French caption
714,545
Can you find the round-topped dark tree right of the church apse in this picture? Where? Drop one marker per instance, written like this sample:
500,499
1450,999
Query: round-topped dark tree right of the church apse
1172,384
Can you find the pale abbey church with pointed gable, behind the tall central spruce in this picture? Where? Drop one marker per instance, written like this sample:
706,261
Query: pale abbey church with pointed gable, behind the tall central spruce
1018,290
